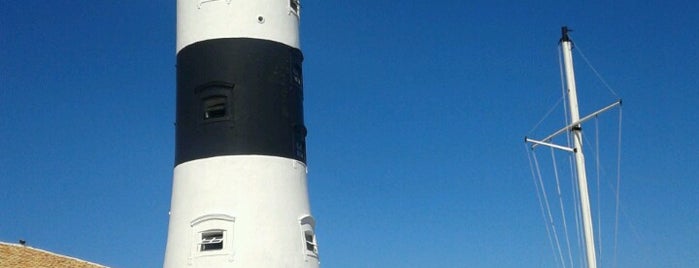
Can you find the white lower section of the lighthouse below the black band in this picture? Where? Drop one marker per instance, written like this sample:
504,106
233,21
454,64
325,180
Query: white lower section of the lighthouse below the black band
258,200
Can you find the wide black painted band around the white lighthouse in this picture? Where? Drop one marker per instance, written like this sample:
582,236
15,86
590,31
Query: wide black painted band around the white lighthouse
239,96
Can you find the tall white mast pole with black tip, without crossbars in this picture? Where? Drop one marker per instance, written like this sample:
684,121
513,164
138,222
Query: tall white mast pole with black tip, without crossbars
576,130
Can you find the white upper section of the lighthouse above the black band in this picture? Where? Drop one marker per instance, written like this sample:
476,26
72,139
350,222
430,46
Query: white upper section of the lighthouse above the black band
273,20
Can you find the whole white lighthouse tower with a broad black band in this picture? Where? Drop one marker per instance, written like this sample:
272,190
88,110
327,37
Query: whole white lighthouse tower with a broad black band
239,193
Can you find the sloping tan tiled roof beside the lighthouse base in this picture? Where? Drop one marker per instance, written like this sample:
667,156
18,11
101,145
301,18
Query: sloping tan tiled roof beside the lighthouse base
20,256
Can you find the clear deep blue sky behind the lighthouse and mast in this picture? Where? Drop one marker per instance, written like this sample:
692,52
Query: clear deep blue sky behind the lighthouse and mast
416,113
